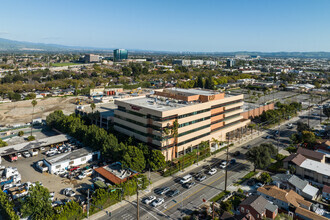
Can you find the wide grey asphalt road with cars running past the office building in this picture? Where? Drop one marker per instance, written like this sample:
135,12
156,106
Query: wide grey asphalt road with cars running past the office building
191,199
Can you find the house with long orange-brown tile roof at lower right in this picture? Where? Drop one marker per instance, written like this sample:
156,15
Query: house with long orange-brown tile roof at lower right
286,200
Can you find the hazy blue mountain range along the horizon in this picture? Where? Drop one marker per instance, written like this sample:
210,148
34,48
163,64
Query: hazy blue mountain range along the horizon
21,46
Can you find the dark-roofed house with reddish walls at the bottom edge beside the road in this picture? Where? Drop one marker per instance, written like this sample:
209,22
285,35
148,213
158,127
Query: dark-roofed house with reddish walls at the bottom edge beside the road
257,208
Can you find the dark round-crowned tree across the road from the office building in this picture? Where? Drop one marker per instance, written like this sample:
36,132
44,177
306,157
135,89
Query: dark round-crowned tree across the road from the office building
261,155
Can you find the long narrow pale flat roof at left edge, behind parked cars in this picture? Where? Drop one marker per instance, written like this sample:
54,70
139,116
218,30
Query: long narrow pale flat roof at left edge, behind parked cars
33,144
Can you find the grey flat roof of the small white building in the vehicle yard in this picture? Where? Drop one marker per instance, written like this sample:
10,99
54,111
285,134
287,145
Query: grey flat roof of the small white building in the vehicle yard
82,152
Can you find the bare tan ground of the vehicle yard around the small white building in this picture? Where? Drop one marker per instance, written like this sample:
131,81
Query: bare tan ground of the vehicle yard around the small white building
53,182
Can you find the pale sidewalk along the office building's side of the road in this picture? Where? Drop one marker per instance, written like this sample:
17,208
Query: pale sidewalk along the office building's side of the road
163,180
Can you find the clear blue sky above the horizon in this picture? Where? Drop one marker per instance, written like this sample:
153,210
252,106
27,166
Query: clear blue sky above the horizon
171,25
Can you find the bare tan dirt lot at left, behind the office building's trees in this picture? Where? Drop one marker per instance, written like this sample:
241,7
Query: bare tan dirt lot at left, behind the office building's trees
20,112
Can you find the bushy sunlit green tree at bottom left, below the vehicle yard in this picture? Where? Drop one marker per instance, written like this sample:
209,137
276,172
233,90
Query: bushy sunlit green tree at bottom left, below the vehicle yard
37,204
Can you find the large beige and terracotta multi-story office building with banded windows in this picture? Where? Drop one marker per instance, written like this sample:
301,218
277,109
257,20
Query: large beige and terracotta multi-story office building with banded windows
198,115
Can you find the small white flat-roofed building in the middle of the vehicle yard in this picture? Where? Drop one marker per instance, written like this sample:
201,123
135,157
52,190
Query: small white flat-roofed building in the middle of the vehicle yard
71,159
